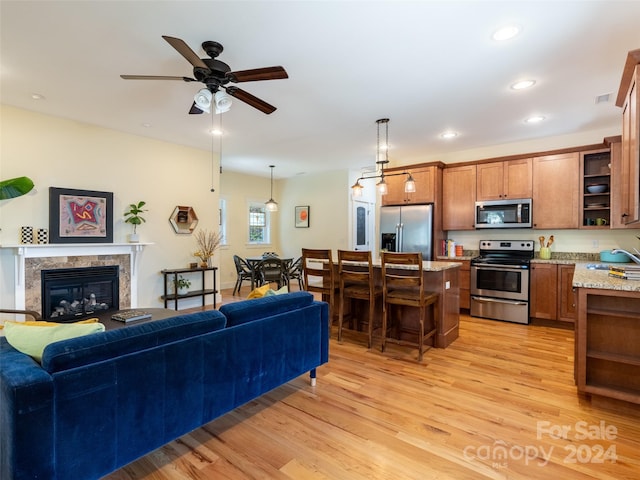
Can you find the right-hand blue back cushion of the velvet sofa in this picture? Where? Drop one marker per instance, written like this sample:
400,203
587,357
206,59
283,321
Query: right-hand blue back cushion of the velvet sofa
249,310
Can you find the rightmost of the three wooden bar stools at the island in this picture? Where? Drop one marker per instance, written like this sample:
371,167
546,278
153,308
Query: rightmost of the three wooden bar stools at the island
403,285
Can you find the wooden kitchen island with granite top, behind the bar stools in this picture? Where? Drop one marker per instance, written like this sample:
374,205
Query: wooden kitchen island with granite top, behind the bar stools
439,277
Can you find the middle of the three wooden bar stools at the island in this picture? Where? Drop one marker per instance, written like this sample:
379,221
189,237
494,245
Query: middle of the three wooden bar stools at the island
355,271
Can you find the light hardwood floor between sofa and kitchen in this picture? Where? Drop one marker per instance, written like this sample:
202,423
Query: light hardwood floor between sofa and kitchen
499,403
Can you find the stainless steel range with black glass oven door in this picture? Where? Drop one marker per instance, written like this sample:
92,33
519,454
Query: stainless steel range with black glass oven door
500,280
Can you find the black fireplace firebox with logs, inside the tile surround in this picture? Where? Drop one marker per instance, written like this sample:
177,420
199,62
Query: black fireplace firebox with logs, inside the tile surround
69,294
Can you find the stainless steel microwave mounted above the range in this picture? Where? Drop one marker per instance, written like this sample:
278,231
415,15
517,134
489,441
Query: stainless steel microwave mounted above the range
514,213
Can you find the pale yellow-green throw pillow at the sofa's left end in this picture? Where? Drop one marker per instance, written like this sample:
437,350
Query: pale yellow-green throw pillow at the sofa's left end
31,338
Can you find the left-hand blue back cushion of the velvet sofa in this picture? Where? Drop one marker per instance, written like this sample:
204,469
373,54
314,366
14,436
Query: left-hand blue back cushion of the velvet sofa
132,338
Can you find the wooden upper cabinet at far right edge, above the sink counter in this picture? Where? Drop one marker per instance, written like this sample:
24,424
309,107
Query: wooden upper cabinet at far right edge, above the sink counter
629,100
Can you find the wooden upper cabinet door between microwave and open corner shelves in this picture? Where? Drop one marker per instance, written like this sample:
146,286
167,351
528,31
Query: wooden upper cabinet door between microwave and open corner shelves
556,191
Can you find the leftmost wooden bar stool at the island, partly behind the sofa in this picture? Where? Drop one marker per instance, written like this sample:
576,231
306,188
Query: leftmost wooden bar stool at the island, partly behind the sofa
317,270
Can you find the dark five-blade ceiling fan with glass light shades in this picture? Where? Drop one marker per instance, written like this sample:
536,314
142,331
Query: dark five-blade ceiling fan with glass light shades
216,75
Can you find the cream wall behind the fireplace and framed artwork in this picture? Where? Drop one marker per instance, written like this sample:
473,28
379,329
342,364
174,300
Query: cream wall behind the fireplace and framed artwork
62,153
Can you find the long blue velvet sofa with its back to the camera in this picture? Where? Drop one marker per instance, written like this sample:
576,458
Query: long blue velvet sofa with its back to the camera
98,402
